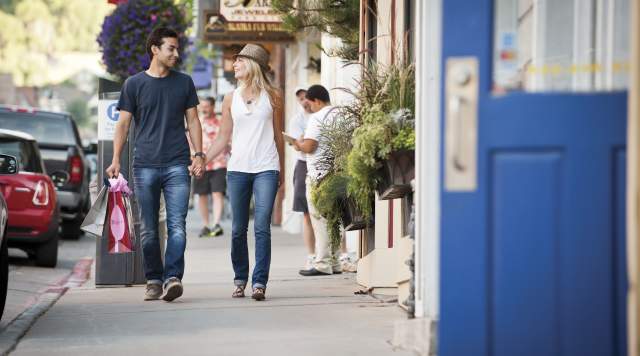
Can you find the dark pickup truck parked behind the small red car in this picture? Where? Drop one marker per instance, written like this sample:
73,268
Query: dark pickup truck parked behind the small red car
61,149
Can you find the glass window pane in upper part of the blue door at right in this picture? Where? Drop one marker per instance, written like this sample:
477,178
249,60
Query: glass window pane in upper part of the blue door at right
561,45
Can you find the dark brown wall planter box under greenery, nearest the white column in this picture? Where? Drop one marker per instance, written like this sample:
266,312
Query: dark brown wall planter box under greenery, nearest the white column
396,174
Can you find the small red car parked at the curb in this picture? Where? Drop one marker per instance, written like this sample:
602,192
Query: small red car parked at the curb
34,214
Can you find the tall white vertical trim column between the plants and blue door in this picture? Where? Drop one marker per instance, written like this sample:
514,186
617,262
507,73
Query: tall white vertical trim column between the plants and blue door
428,83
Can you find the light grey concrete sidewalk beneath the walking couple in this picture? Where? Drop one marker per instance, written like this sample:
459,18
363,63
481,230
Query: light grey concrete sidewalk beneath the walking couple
301,316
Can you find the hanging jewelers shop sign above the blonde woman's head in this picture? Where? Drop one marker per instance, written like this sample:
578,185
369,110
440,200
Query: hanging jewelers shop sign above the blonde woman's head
244,21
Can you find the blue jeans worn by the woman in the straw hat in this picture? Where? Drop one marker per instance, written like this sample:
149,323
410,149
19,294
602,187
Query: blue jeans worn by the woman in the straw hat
240,186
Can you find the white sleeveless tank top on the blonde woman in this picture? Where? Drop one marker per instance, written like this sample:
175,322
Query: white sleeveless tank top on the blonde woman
253,147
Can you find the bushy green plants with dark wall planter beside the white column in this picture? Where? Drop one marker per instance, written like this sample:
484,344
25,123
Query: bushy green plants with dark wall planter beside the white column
383,144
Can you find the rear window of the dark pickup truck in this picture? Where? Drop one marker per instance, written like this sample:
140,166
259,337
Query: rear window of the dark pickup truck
48,130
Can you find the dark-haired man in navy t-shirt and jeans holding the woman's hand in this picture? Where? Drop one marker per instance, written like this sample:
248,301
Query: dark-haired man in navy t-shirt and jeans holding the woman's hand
158,99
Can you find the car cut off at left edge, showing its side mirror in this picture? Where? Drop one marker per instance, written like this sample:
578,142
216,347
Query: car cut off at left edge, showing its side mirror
8,165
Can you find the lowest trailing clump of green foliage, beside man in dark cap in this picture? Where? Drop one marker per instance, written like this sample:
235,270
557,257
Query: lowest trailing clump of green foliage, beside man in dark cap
327,196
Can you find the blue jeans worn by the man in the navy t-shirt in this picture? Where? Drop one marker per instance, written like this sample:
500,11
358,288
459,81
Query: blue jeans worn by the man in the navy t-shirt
175,182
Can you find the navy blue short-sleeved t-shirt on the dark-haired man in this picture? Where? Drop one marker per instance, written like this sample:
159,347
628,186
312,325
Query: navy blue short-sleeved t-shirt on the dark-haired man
158,106
